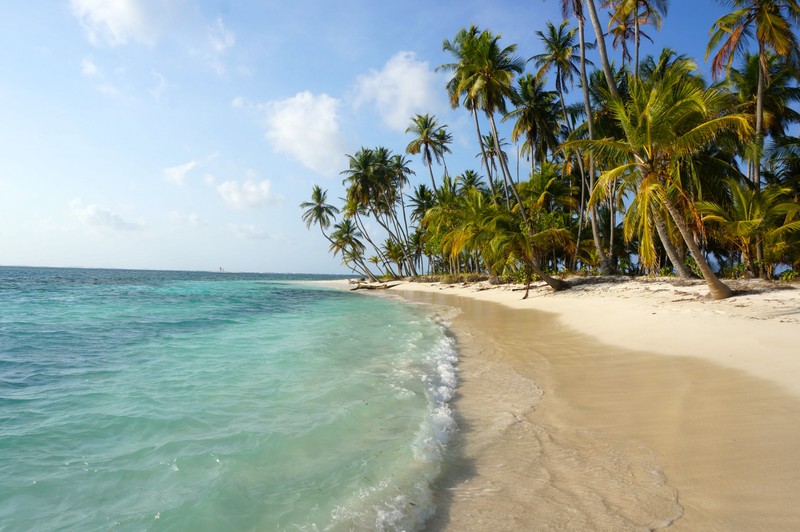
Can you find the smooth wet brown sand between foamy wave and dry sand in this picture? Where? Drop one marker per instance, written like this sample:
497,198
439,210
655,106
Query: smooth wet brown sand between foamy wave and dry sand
560,431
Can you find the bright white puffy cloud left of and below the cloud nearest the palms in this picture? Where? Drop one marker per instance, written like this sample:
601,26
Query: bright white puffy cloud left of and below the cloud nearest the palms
306,127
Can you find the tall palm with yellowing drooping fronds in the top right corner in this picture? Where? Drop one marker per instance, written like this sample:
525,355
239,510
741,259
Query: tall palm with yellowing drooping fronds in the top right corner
772,22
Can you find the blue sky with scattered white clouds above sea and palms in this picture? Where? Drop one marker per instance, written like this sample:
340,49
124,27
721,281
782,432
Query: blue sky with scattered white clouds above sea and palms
183,135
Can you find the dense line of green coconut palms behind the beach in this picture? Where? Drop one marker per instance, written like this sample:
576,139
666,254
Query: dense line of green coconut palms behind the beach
653,170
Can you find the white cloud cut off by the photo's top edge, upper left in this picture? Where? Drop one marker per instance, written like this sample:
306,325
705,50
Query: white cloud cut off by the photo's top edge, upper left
115,22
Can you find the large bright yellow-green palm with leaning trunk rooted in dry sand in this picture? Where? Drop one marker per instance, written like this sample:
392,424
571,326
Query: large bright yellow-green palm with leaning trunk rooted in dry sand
665,122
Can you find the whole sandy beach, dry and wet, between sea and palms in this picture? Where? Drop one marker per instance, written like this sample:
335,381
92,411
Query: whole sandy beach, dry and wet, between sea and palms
622,405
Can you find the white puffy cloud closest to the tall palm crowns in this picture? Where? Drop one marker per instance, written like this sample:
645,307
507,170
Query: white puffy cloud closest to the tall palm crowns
403,88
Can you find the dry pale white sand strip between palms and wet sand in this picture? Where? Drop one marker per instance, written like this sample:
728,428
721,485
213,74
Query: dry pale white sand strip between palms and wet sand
758,331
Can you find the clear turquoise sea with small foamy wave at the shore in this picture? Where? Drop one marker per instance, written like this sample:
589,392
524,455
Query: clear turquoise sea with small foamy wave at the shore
155,400
